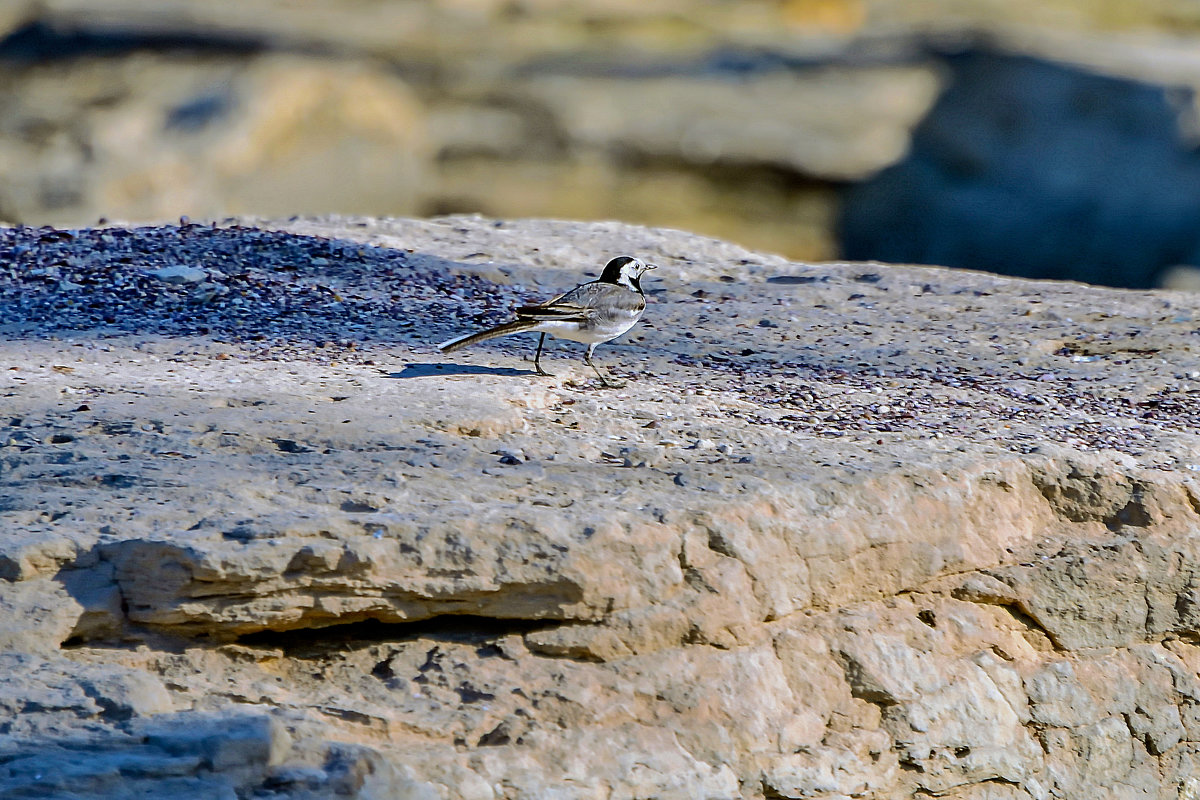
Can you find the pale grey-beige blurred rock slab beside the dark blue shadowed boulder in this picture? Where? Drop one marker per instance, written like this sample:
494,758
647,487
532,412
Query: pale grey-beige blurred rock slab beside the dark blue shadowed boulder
706,122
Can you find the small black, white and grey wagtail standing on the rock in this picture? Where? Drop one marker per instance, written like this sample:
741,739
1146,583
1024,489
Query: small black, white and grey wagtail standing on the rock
591,314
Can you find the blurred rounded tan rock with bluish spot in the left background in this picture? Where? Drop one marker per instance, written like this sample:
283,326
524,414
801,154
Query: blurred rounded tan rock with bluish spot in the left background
158,136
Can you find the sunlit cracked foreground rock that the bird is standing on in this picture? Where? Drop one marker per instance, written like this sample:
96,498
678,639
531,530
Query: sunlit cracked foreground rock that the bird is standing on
850,531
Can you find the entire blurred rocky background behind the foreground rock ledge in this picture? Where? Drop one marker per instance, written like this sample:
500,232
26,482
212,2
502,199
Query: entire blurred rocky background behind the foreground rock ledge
1047,140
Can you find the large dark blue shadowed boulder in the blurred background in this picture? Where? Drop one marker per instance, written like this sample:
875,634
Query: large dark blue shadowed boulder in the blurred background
1037,170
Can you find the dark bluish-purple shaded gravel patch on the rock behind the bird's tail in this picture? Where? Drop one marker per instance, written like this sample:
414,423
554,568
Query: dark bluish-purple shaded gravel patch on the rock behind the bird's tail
233,285
